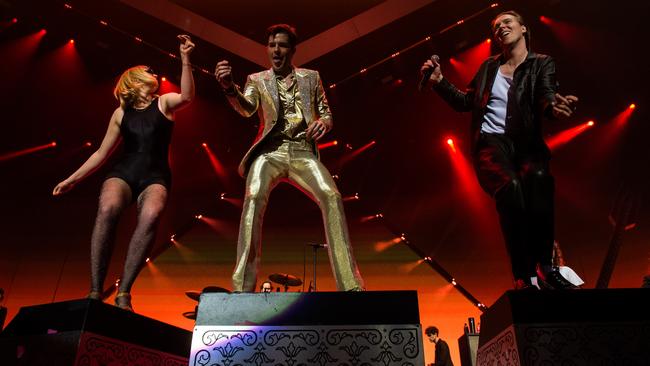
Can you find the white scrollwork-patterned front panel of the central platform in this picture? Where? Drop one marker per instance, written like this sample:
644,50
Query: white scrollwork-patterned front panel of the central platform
307,345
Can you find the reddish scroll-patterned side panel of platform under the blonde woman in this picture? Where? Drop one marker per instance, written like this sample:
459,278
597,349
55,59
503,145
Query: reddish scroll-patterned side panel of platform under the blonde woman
98,350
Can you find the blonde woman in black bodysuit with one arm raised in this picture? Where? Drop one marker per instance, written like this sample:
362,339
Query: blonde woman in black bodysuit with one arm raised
142,175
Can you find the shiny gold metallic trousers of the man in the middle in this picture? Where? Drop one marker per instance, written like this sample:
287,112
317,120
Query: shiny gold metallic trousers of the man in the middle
293,162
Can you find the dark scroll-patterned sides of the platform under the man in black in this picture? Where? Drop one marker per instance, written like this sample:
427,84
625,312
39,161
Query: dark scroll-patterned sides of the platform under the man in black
568,344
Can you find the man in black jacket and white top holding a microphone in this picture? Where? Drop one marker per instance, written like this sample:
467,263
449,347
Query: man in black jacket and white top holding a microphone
509,97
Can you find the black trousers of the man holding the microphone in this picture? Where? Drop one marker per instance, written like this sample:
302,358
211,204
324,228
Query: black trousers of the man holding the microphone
521,184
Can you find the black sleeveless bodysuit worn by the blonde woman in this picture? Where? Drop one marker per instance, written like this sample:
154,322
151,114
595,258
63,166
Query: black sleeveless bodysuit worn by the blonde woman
145,159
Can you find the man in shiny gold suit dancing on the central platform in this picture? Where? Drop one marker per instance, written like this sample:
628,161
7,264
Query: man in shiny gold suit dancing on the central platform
294,115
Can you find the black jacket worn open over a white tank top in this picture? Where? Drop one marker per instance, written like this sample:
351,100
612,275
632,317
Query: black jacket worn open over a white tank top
535,85
